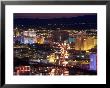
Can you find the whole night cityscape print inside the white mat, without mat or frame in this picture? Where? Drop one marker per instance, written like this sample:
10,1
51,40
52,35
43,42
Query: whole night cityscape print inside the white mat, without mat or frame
62,44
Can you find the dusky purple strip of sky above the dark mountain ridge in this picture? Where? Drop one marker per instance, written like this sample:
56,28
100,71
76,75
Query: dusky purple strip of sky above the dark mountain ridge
49,15
